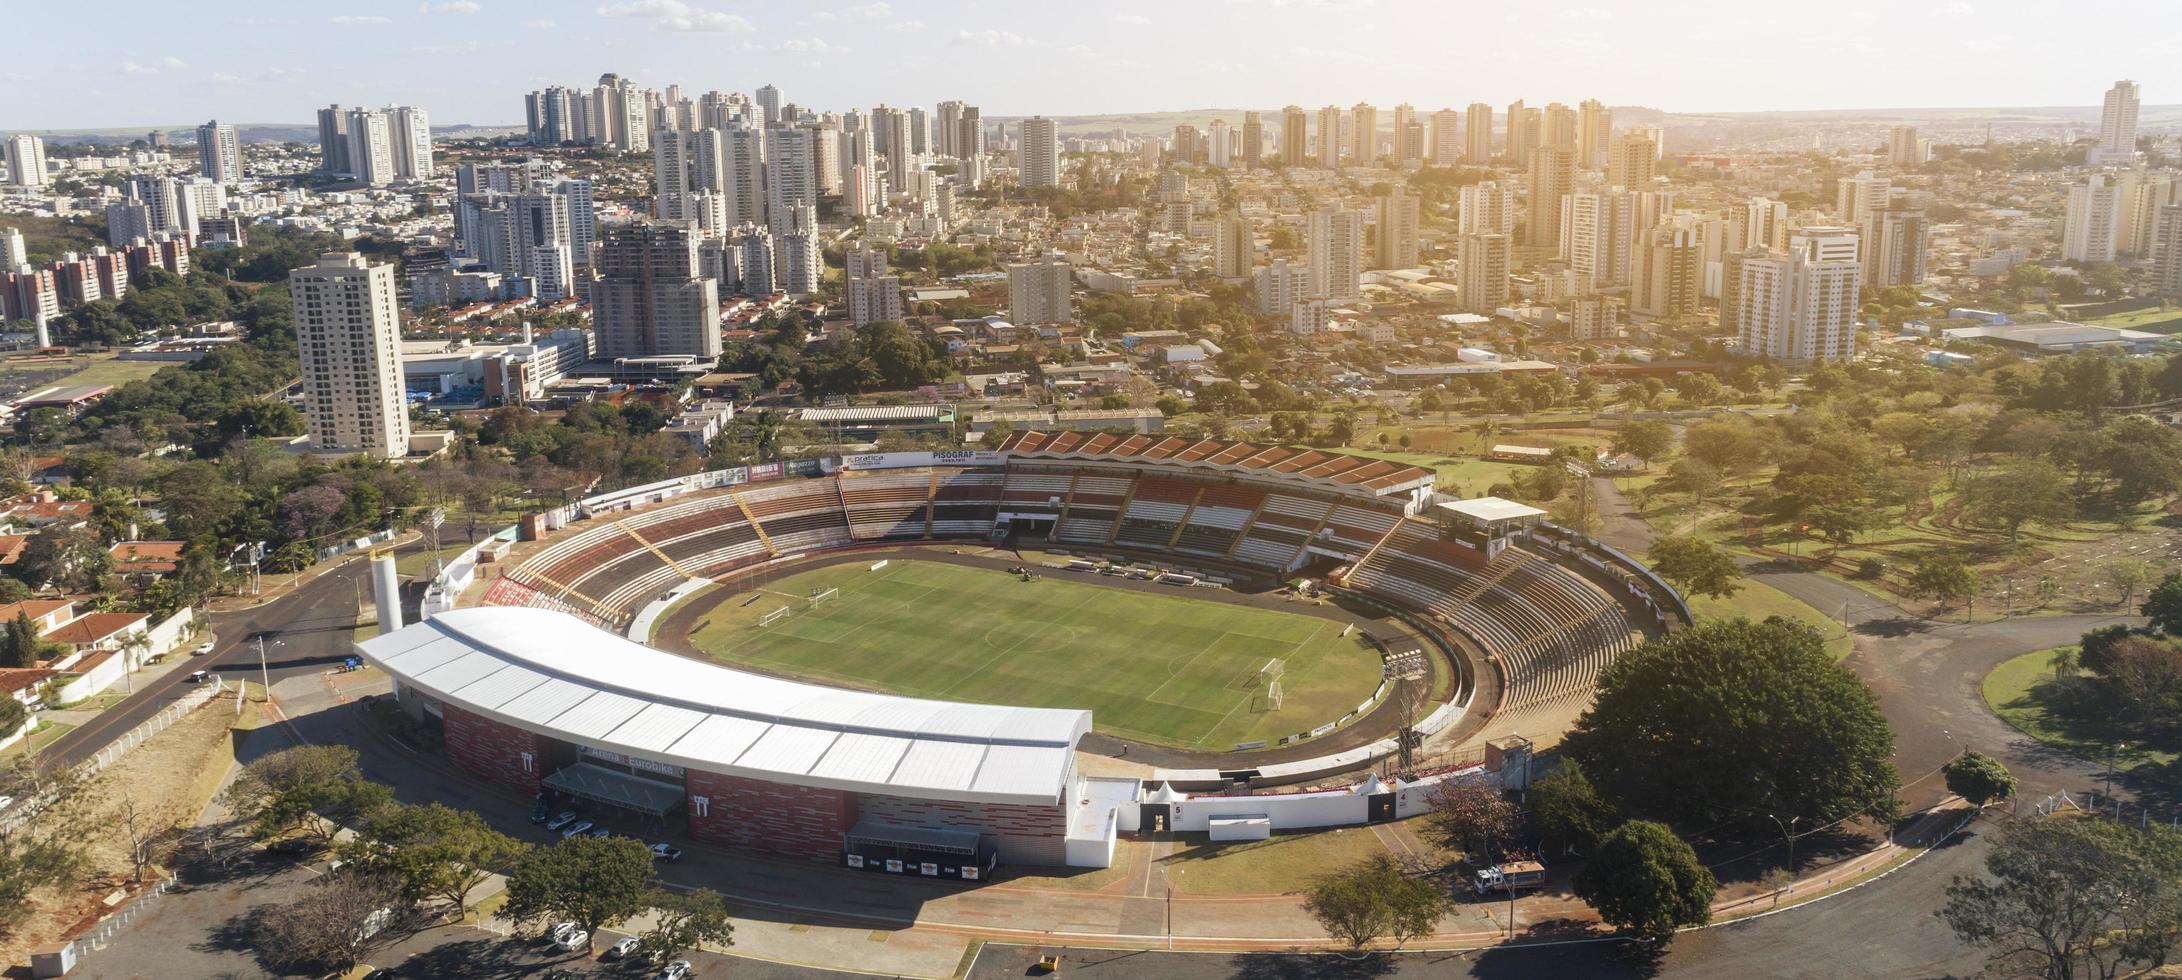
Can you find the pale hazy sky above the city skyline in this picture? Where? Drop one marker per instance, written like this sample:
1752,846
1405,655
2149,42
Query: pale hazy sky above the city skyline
139,62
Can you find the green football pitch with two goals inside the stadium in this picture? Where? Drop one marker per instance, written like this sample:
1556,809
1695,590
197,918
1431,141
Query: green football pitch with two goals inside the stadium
1153,667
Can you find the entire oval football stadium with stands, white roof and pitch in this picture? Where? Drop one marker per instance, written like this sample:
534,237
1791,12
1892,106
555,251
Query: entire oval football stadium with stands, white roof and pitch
911,662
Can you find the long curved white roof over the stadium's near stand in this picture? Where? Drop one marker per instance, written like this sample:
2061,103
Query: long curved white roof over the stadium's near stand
553,673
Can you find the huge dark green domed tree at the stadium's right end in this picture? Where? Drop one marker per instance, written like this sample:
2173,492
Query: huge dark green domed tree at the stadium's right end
1738,717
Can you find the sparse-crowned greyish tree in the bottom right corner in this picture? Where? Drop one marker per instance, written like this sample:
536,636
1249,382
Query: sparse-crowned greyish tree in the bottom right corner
2074,900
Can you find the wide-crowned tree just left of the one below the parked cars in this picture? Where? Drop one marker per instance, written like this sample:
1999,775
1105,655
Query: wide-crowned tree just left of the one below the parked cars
433,850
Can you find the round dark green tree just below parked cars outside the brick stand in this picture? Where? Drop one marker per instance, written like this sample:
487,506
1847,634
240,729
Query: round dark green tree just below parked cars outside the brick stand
588,881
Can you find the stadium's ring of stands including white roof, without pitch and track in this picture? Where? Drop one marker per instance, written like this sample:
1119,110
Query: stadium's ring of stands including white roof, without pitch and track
848,776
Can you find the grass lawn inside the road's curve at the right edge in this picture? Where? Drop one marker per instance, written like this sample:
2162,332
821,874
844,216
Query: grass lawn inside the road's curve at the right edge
2063,717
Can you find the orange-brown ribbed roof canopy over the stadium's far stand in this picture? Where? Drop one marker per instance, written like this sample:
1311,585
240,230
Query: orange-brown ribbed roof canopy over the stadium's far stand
1323,470
